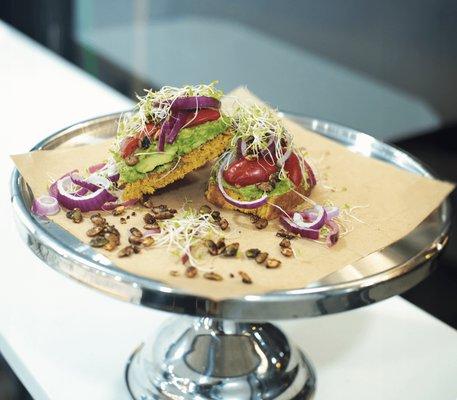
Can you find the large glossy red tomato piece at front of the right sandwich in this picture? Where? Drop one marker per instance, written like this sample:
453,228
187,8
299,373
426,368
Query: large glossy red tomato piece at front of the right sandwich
244,172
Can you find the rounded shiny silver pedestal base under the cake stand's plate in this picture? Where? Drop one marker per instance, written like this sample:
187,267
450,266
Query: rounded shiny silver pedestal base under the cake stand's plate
219,359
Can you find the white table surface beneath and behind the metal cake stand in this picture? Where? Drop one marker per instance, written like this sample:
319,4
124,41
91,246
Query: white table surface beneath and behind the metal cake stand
66,341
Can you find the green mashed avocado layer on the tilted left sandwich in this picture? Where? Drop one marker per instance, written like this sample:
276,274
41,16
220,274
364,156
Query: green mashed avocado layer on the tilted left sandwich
150,160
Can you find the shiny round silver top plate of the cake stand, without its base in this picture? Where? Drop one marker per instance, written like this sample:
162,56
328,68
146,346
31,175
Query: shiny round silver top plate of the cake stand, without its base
376,277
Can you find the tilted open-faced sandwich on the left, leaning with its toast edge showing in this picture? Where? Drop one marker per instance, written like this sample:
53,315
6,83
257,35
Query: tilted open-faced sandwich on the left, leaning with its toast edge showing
171,132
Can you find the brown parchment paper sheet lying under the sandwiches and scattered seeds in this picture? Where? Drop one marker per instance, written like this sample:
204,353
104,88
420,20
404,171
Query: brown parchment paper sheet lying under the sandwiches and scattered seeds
397,202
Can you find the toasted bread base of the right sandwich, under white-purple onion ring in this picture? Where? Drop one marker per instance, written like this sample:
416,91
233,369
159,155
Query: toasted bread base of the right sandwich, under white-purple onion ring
287,201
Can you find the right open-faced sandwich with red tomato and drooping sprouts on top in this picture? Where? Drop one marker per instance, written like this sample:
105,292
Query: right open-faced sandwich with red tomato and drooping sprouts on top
262,173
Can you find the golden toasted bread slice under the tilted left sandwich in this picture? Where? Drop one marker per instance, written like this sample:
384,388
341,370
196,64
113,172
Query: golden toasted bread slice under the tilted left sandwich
189,162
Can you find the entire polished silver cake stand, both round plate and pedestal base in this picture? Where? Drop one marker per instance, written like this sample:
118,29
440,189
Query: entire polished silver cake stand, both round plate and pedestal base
228,350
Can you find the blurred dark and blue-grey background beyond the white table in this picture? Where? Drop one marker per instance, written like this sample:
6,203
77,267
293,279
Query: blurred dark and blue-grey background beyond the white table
387,68
